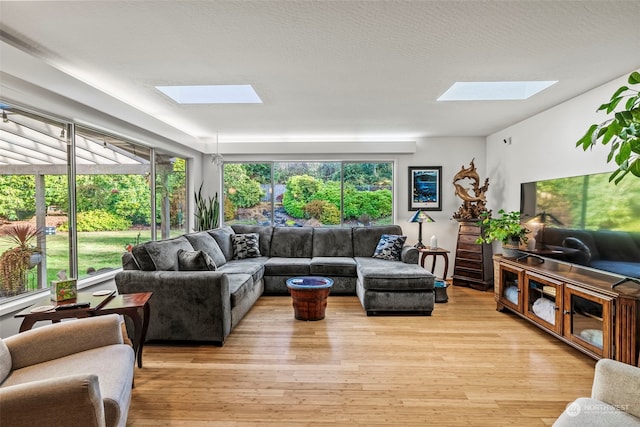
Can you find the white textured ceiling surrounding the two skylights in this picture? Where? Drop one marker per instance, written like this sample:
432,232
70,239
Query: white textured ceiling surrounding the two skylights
328,70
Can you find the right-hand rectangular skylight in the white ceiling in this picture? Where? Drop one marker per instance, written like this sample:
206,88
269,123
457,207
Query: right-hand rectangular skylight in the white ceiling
494,91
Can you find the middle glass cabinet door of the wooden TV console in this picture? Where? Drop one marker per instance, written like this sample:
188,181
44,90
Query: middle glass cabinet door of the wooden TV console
543,301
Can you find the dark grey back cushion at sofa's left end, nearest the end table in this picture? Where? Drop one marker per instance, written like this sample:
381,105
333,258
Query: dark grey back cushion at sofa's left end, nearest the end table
161,255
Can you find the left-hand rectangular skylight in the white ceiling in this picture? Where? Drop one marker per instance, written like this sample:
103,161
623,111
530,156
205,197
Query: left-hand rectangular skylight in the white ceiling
212,94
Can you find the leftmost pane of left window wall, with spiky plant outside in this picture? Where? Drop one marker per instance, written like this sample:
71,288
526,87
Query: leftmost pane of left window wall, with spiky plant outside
33,196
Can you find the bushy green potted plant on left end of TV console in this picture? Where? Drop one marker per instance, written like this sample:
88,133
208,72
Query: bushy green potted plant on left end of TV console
506,229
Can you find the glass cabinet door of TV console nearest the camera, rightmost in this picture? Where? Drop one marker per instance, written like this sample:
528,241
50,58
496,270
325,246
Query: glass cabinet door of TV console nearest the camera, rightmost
587,320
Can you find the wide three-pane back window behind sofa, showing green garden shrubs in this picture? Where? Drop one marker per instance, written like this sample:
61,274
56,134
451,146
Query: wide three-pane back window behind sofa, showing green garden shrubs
317,194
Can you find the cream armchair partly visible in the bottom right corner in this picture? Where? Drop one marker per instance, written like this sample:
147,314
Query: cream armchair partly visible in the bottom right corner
614,401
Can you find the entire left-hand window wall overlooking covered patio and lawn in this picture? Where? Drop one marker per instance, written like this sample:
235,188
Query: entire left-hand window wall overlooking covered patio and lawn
111,202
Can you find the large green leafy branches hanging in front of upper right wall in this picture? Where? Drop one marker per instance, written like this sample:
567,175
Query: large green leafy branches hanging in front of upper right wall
622,130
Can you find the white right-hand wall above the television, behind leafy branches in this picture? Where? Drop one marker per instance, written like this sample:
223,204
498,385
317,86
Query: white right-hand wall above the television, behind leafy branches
544,147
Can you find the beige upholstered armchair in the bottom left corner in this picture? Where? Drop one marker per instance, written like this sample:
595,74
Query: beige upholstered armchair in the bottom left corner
74,373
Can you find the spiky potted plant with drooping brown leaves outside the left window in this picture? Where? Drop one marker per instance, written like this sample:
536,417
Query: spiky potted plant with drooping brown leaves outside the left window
16,261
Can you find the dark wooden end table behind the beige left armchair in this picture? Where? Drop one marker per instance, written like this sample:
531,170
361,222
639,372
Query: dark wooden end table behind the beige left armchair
135,306
